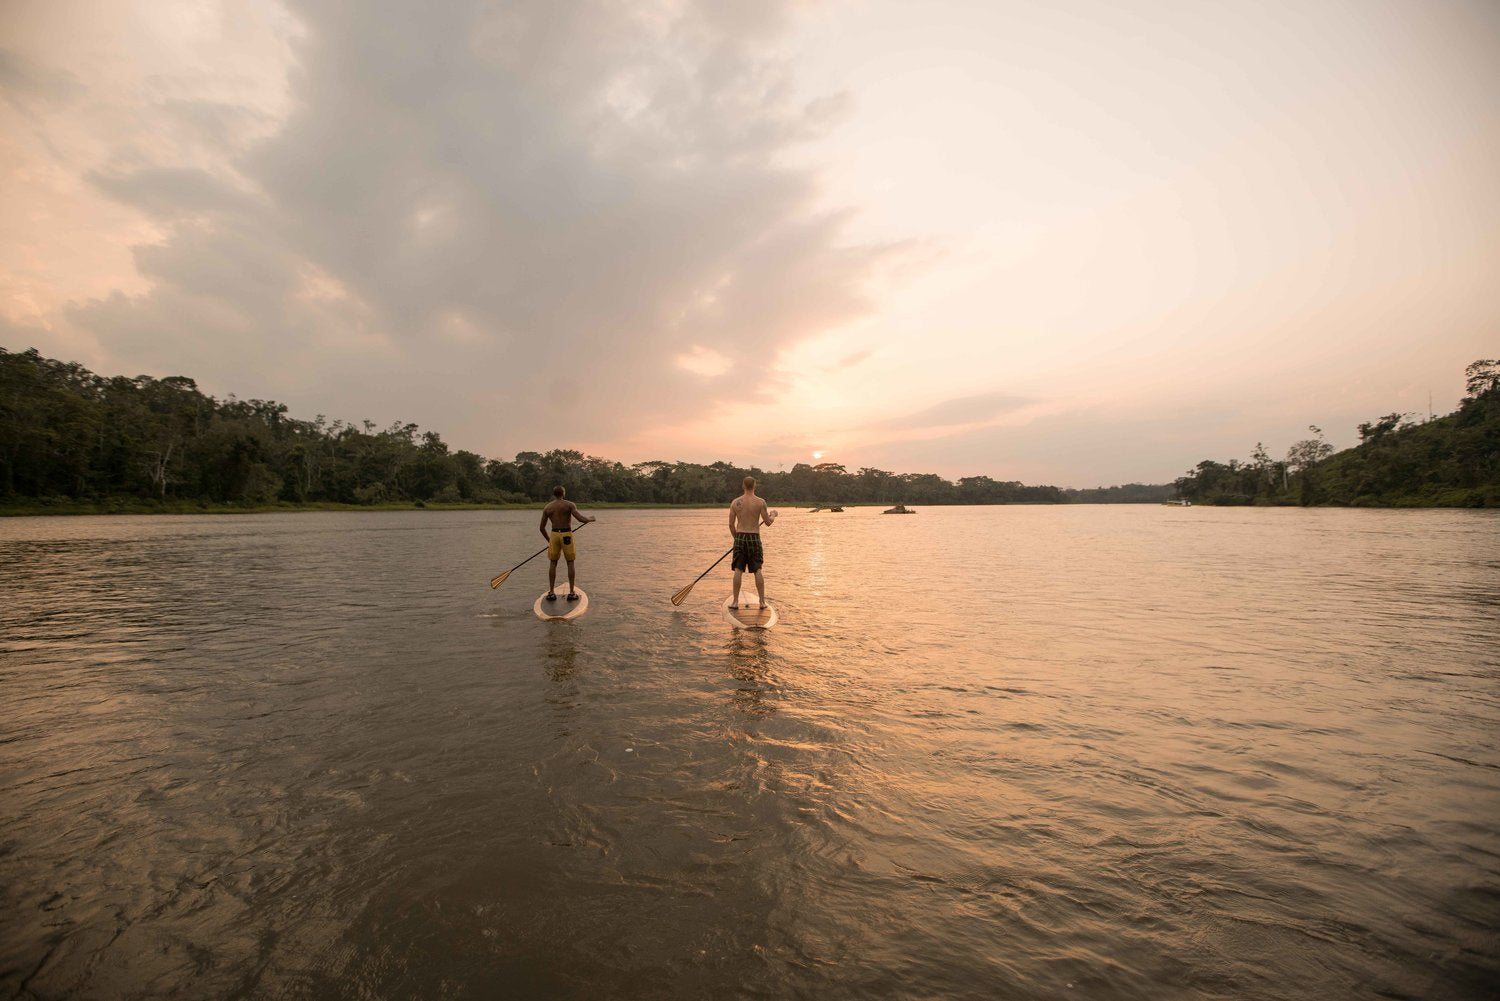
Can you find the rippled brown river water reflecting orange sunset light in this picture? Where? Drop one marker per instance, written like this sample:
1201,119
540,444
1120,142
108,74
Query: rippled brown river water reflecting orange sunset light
998,753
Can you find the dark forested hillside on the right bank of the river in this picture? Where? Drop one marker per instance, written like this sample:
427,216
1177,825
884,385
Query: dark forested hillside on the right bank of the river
1453,461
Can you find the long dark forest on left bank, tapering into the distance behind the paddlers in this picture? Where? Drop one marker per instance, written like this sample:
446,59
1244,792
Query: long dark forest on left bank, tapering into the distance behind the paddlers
73,439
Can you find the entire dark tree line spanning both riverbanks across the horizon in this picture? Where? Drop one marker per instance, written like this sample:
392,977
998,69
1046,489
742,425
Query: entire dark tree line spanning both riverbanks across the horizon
79,443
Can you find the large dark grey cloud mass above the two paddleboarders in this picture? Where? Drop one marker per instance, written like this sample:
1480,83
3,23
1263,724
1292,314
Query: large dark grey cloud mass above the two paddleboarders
490,217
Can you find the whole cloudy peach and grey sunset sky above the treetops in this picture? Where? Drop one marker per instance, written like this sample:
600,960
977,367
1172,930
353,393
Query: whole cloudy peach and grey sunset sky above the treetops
1081,244
